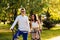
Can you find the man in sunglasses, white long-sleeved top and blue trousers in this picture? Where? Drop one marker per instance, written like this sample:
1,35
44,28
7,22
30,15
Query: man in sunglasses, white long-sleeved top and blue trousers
23,25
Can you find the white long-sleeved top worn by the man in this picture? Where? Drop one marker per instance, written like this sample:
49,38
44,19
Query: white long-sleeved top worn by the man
23,23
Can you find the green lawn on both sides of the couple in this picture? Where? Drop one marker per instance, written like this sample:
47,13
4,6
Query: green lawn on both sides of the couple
46,34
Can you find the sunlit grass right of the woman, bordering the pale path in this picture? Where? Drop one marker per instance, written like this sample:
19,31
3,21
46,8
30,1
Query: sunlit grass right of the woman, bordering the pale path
46,34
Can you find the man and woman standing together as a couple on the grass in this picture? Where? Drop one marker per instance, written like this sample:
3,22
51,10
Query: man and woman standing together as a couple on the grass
25,27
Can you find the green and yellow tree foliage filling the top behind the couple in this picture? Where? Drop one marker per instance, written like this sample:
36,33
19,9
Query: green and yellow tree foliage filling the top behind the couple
36,6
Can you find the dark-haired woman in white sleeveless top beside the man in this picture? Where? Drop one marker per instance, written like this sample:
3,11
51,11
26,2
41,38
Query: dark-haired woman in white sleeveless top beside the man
35,27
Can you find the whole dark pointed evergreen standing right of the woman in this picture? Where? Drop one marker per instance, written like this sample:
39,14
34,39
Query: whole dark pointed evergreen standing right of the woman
47,22
